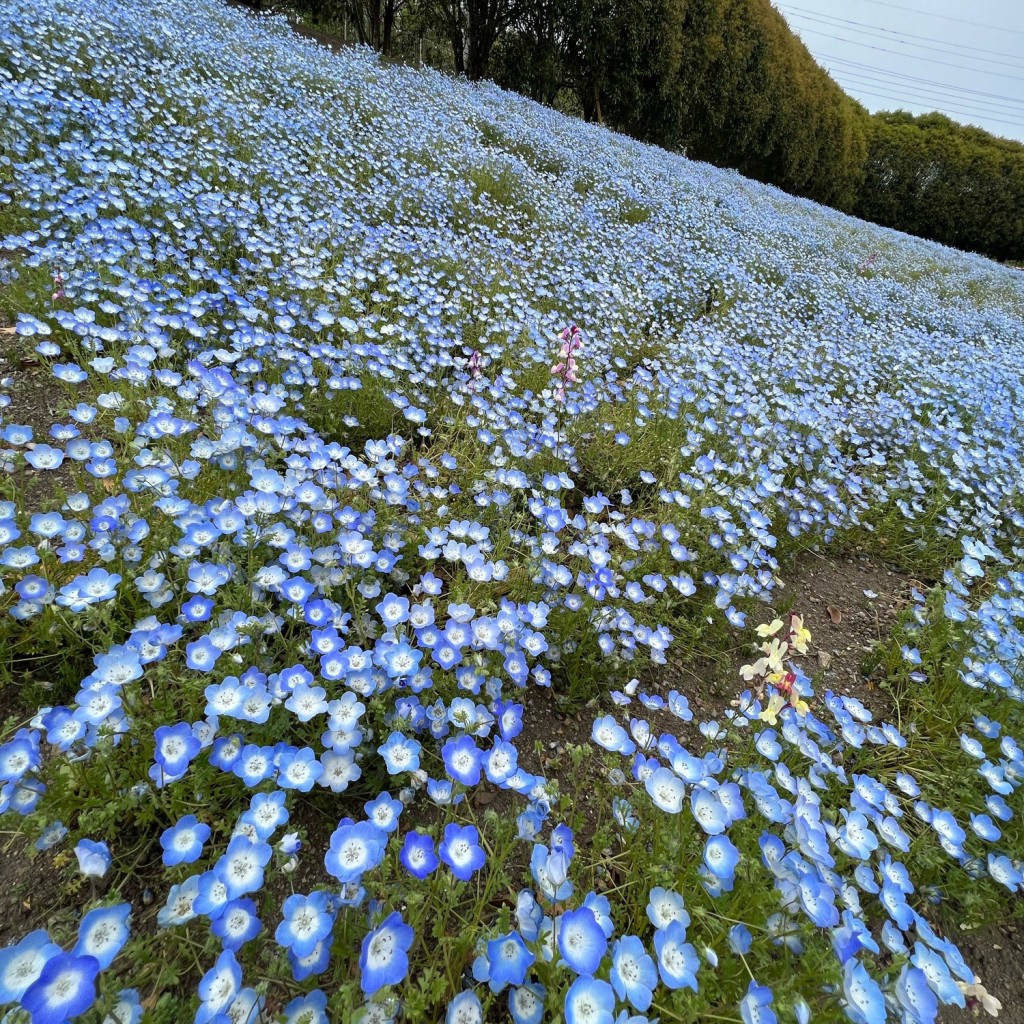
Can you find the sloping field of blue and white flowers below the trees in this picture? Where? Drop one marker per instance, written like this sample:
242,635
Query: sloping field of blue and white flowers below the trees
398,415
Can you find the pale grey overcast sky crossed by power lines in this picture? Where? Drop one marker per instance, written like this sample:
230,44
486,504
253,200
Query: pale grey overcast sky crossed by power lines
963,59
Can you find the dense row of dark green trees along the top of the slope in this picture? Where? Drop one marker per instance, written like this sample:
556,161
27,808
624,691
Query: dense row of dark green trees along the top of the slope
727,81
